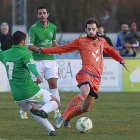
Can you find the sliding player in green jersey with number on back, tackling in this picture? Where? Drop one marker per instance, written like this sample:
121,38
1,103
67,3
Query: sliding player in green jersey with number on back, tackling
27,94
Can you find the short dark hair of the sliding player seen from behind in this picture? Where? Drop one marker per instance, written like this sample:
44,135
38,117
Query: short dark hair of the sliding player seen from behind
17,37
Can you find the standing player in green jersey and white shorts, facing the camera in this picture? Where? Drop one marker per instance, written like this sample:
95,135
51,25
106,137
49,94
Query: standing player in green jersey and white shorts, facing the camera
43,34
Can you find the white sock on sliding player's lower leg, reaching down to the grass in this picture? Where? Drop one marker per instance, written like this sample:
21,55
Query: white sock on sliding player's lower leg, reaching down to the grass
44,122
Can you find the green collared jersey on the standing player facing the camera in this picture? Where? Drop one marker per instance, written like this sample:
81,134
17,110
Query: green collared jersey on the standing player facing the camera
40,36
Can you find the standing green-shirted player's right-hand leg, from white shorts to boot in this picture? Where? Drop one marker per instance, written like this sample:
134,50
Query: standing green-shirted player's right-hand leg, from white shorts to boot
51,75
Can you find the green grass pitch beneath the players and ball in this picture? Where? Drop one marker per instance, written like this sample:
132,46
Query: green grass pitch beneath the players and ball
115,116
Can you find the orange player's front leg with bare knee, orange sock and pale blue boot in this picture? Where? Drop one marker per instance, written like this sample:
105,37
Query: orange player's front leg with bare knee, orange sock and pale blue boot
84,91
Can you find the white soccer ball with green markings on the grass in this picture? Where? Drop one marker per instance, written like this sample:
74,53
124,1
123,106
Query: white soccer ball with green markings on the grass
84,125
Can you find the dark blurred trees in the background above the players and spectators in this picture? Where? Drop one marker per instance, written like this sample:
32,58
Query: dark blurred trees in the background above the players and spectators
69,16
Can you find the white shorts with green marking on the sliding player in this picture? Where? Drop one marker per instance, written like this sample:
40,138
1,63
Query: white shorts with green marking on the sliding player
41,98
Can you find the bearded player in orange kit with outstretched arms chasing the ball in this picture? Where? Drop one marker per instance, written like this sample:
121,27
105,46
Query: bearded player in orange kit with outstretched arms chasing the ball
91,50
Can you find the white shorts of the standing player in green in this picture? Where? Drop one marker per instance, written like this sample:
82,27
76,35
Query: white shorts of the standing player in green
46,69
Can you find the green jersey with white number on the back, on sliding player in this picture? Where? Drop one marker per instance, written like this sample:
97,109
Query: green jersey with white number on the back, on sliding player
16,61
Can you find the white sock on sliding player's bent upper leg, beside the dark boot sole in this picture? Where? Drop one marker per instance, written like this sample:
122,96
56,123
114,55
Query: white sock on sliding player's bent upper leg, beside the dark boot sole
50,106
